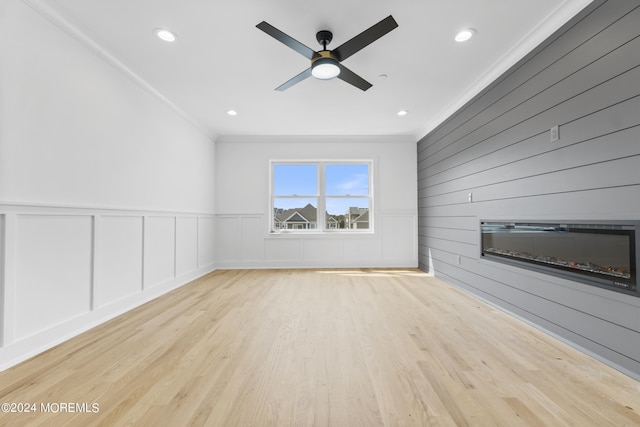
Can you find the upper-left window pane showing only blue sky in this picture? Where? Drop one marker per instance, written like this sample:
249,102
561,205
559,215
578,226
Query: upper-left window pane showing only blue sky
289,180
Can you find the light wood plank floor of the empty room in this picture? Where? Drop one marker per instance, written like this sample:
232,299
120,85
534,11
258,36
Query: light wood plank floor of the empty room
320,348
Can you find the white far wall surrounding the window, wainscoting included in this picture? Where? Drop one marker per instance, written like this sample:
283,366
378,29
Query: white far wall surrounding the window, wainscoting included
242,201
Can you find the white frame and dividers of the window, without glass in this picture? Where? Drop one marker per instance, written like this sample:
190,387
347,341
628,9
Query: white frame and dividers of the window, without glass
321,197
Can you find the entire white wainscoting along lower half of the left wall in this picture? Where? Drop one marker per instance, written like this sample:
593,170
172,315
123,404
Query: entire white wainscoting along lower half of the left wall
64,270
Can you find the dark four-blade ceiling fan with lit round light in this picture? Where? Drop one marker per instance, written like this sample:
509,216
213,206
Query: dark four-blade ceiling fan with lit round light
326,64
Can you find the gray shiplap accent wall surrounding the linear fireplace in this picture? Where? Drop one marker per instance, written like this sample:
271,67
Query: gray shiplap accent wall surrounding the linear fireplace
585,79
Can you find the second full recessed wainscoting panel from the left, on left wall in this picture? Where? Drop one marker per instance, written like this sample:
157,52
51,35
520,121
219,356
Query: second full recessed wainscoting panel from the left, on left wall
120,261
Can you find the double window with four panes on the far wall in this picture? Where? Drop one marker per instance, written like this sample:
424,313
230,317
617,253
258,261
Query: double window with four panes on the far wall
321,196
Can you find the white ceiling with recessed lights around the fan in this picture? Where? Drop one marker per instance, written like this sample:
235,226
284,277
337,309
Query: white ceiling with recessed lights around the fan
221,61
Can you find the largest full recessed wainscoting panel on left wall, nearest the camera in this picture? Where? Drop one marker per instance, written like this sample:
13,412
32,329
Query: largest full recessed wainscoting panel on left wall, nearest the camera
53,271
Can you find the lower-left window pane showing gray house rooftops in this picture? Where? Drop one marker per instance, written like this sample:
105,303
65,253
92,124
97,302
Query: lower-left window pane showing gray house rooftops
295,214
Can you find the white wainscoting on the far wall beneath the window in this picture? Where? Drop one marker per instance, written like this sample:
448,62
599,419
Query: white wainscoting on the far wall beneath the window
243,242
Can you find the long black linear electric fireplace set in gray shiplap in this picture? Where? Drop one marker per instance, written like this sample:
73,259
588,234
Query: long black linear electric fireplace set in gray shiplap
600,254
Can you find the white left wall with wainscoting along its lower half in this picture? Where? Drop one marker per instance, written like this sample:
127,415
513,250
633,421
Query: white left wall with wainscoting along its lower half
106,193
